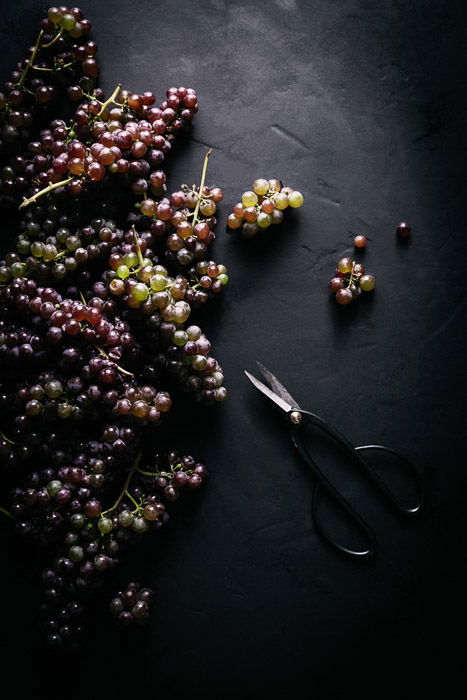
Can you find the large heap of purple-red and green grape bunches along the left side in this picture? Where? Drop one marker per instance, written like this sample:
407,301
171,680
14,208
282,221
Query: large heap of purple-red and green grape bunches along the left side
98,333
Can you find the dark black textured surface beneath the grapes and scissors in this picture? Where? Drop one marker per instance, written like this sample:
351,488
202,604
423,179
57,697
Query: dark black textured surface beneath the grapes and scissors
361,105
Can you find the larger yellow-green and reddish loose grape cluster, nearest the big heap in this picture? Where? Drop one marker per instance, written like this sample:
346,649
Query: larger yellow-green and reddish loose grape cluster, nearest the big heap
263,206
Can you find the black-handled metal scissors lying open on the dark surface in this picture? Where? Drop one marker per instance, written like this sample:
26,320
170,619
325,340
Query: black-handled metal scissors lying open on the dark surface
297,418
